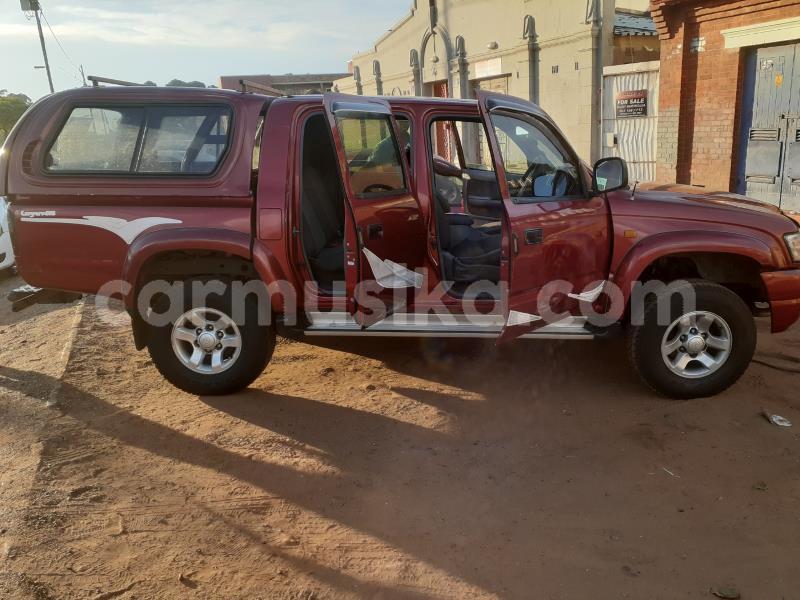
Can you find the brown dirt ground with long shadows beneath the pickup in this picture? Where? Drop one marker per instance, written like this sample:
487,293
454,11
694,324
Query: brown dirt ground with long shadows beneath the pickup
382,469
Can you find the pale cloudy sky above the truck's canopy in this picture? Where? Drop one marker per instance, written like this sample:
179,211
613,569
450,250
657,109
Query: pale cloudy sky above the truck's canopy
137,40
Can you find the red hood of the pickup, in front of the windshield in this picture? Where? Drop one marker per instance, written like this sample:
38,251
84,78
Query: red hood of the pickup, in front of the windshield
694,204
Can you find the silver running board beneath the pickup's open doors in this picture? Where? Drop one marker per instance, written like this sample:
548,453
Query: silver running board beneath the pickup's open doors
444,326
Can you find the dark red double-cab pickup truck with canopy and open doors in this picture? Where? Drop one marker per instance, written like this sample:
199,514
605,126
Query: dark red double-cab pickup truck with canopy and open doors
222,217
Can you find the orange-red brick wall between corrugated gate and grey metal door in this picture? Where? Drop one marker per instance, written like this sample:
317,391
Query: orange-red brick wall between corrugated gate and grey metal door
701,86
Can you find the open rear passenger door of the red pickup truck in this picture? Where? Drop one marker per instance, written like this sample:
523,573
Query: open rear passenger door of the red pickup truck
385,241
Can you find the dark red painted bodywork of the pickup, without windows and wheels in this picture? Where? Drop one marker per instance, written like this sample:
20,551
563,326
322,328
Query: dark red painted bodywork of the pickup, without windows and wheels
598,237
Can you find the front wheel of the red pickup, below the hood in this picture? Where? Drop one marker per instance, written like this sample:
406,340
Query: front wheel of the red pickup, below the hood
693,351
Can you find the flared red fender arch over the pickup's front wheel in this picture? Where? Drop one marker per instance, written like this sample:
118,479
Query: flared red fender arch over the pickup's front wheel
653,247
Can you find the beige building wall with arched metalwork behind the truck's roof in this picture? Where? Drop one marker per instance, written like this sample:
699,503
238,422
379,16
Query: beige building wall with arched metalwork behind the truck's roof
535,49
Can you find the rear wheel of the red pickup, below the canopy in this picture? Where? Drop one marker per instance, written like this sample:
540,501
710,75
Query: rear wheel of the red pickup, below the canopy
205,352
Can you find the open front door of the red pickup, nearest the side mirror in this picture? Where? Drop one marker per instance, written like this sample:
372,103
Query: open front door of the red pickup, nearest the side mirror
556,232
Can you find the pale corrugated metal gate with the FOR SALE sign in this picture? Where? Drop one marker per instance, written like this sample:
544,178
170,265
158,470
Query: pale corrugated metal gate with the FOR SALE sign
630,116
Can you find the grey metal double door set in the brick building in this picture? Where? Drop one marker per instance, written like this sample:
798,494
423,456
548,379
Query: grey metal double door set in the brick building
772,126
